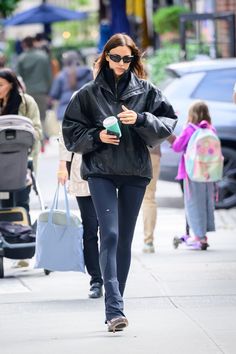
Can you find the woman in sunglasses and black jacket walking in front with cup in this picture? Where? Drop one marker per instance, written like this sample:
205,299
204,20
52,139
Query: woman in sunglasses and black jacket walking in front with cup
118,169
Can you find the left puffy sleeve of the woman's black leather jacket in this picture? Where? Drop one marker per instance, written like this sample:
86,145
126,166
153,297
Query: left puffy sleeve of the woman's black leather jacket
79,134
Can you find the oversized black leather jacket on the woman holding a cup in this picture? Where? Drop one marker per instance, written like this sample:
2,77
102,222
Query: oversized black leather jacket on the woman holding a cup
102,98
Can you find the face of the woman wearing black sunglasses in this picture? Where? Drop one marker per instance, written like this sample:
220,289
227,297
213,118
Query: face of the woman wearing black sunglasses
119,67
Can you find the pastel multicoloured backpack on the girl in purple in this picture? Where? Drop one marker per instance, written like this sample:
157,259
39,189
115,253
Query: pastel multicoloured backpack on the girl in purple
203,157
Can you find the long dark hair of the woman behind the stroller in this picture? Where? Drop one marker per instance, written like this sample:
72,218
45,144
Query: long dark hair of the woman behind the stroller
14,100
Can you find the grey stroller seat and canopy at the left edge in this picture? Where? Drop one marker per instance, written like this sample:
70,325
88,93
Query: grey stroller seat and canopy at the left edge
17,137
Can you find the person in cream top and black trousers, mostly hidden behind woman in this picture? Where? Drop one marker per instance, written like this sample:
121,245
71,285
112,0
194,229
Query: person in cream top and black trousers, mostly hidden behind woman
69,167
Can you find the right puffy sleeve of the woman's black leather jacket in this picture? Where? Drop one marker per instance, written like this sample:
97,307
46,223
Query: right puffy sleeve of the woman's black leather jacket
159,121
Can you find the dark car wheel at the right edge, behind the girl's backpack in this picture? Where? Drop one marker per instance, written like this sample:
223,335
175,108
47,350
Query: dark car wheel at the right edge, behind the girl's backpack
227,187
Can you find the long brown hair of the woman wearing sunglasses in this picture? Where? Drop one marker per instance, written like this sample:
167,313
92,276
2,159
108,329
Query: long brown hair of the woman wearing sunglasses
121,40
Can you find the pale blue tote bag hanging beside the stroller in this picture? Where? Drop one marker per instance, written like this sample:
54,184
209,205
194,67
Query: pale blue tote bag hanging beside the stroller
59,239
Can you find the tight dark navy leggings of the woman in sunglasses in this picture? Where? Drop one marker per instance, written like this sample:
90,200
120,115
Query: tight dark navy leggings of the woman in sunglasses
117,201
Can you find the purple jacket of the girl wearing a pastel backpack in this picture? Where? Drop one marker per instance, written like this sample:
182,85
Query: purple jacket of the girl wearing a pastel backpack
181,143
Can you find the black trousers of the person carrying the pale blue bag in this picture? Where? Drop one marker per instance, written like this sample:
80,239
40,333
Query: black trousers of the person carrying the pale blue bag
90,238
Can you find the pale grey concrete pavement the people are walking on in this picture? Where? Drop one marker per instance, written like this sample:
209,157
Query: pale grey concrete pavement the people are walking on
177,301
